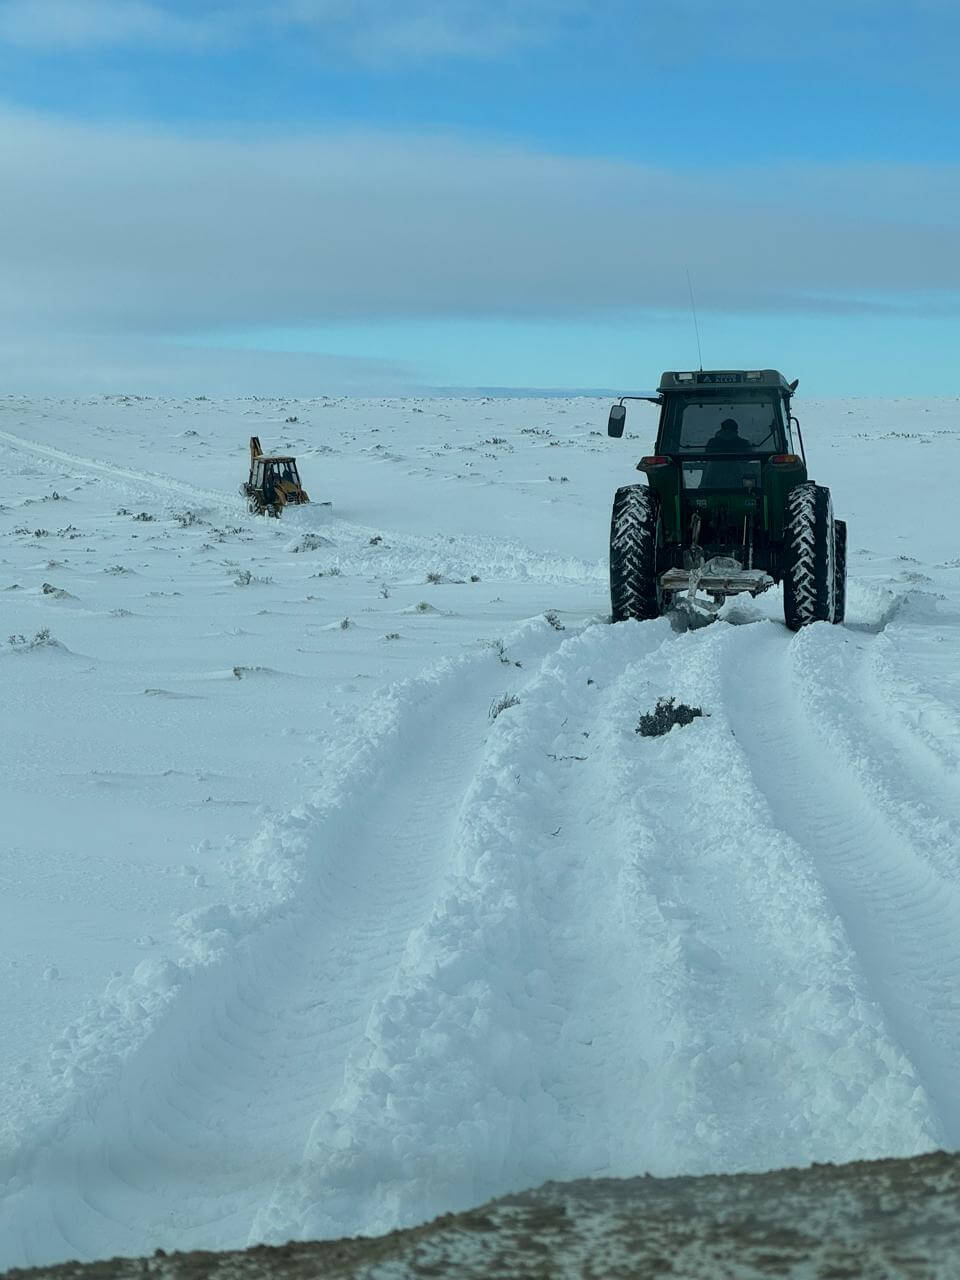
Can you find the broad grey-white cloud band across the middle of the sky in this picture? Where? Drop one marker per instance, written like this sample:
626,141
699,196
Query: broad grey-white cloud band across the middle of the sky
124,232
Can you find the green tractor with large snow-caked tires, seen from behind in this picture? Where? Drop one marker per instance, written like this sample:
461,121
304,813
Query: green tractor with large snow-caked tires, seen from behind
728,508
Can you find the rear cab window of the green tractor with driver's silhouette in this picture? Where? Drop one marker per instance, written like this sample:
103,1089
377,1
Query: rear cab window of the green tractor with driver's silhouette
720,426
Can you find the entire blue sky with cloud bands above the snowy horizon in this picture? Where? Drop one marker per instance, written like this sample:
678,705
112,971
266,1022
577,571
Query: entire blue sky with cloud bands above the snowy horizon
383,196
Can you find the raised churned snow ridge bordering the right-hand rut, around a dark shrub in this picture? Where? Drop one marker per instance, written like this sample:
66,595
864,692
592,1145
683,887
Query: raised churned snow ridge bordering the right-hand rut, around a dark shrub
778,1053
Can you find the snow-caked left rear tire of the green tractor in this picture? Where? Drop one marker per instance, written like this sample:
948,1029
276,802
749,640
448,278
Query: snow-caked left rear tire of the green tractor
637,534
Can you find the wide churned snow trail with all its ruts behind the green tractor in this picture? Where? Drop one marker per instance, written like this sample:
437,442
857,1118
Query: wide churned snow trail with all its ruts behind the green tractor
542,948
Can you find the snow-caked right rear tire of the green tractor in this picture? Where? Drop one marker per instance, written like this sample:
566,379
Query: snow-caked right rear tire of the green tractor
810,561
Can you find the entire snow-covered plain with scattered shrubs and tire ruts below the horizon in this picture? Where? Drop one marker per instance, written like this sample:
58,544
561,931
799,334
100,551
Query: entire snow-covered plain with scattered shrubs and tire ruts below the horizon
300,939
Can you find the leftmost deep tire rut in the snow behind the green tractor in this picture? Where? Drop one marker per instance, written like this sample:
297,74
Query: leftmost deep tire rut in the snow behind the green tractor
185,1144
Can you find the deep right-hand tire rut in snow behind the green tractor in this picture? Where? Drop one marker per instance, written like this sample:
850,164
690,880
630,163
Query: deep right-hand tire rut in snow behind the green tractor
893,874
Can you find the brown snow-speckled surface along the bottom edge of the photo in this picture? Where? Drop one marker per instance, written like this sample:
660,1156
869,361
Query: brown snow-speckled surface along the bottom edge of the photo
870,1219
